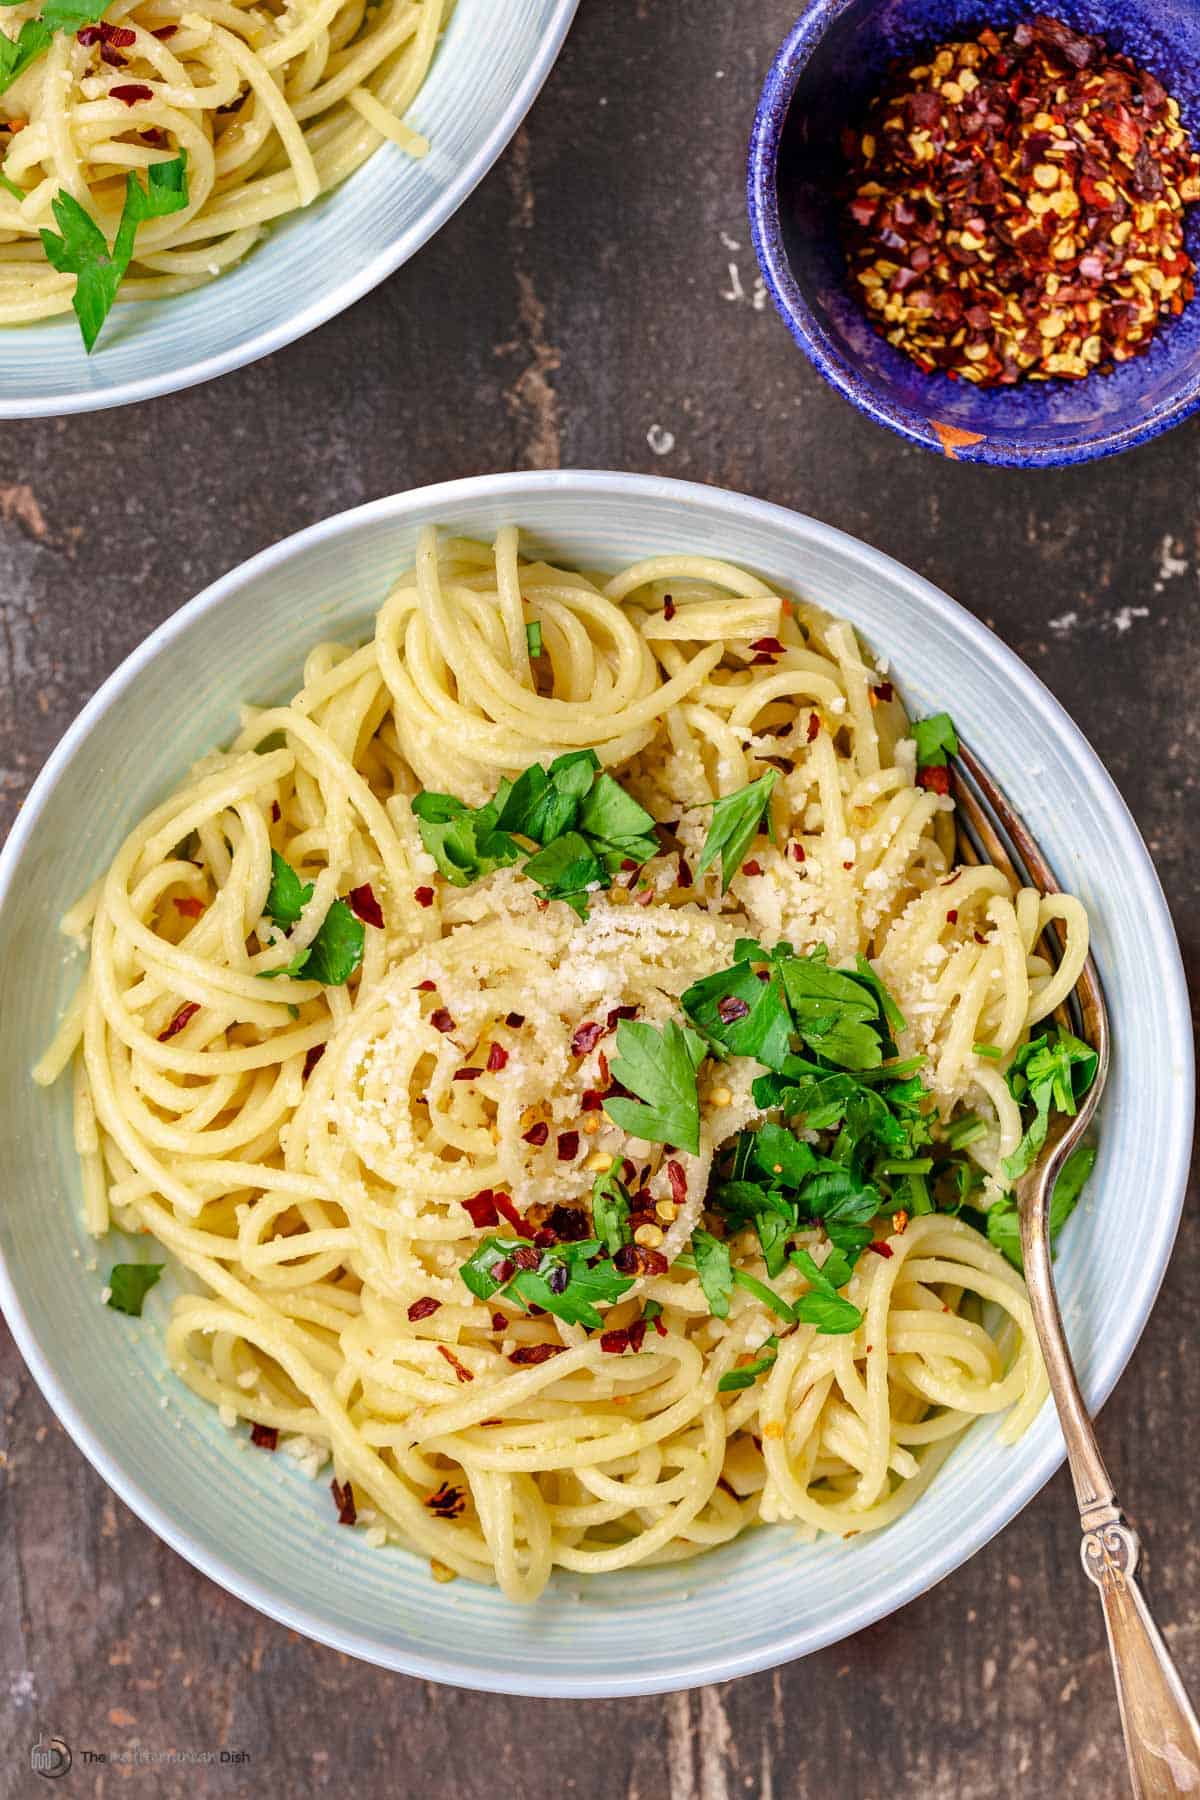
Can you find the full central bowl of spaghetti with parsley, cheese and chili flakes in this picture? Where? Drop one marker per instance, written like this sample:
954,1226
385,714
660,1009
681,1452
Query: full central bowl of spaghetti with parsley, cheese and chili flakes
512,1169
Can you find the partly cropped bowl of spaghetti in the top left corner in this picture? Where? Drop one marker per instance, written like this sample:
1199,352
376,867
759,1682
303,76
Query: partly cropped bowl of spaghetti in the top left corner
231,179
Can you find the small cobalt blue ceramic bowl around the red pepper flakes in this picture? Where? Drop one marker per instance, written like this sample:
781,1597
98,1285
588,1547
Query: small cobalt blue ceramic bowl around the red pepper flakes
823,78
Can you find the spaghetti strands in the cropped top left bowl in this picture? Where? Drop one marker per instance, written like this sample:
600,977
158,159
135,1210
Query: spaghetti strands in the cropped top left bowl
273,103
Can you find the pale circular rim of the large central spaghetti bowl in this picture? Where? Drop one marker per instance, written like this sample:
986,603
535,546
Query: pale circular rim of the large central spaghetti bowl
694,1668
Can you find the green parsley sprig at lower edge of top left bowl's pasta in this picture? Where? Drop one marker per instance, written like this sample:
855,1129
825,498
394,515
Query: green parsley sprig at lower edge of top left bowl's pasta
84,251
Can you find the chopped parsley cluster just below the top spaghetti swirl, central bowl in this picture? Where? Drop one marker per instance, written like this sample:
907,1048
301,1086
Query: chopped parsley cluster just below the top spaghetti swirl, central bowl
580,820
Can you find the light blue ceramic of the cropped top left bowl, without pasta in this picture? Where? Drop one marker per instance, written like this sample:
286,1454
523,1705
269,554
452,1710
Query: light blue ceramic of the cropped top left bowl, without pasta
490,64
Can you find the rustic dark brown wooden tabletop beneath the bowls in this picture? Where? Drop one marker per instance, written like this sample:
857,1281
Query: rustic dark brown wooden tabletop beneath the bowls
596,303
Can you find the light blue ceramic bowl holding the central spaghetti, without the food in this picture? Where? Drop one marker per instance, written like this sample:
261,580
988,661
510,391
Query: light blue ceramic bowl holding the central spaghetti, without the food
251,1520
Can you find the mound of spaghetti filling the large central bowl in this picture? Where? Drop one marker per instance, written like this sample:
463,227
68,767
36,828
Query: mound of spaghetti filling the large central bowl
325,1158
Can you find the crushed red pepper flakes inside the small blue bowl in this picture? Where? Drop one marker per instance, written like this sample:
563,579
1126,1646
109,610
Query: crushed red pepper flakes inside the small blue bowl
1016,208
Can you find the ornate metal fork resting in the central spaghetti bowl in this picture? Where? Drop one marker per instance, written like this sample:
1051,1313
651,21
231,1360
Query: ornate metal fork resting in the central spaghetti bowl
1161,1732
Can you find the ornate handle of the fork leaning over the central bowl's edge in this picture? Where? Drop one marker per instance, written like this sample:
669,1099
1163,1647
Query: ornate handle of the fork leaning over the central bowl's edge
1161,1731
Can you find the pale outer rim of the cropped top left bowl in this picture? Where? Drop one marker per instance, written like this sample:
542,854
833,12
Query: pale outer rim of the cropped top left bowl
354,289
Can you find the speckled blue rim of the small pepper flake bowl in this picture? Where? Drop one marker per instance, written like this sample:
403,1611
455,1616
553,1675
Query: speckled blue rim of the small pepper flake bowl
819,343
